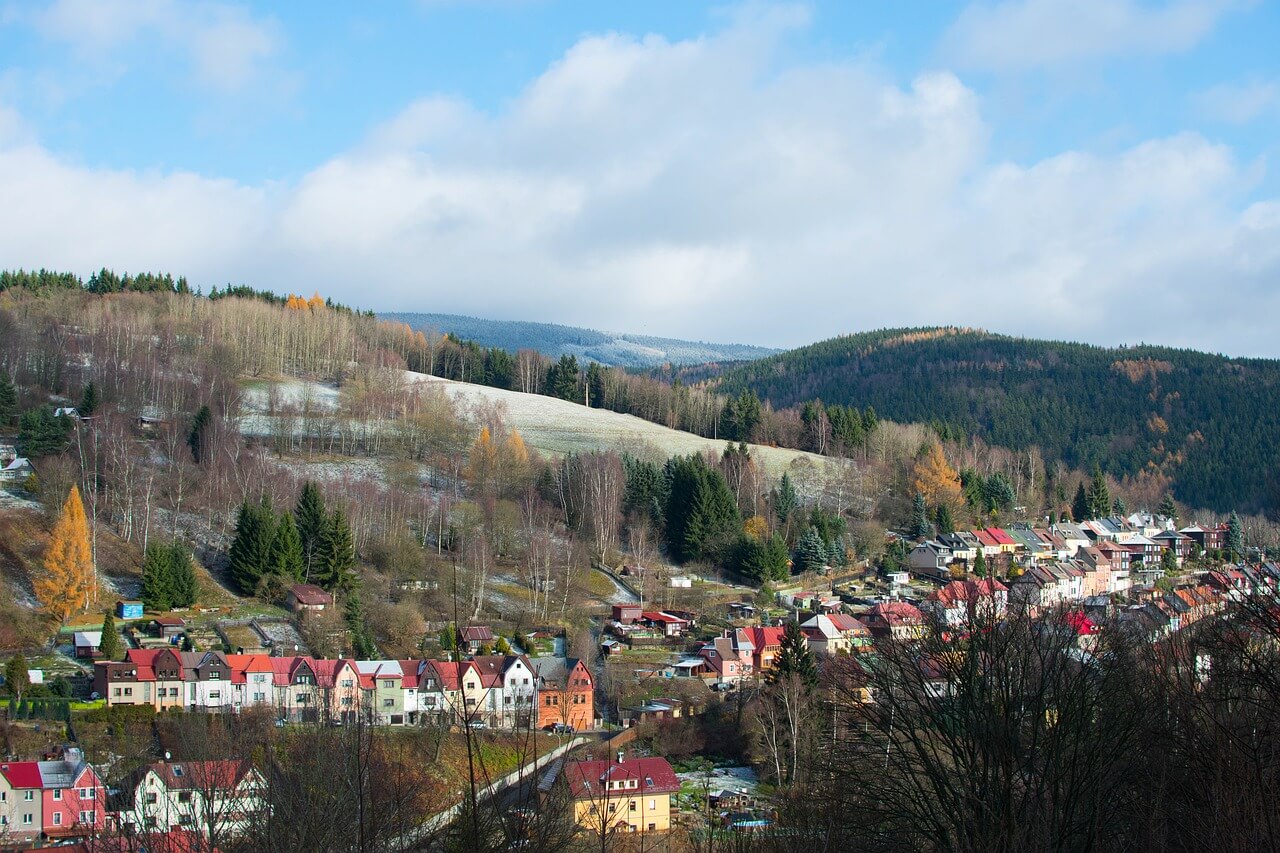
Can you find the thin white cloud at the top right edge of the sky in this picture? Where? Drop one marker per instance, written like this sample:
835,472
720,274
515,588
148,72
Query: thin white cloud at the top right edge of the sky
1032,34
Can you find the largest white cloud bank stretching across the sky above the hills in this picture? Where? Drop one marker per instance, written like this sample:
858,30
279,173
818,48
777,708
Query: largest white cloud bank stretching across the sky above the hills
694,189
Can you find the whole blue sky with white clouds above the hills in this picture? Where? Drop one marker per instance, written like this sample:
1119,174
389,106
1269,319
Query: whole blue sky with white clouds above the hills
771,174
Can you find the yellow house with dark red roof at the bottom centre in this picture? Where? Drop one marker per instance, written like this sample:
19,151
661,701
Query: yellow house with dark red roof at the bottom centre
625,796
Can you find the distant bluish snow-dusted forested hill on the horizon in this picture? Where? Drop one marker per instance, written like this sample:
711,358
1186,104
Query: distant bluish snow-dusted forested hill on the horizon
555,341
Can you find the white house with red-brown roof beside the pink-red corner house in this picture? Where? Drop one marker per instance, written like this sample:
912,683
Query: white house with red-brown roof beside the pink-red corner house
216,799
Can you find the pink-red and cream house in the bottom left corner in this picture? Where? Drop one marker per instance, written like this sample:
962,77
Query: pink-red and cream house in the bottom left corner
60,800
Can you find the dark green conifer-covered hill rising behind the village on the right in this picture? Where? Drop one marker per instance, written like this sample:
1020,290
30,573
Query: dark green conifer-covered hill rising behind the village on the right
1208,422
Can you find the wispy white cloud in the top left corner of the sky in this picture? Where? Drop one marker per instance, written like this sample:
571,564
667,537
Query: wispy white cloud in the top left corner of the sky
225,45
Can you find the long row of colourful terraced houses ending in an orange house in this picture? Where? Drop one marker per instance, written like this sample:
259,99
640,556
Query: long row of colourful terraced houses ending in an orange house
501,691
